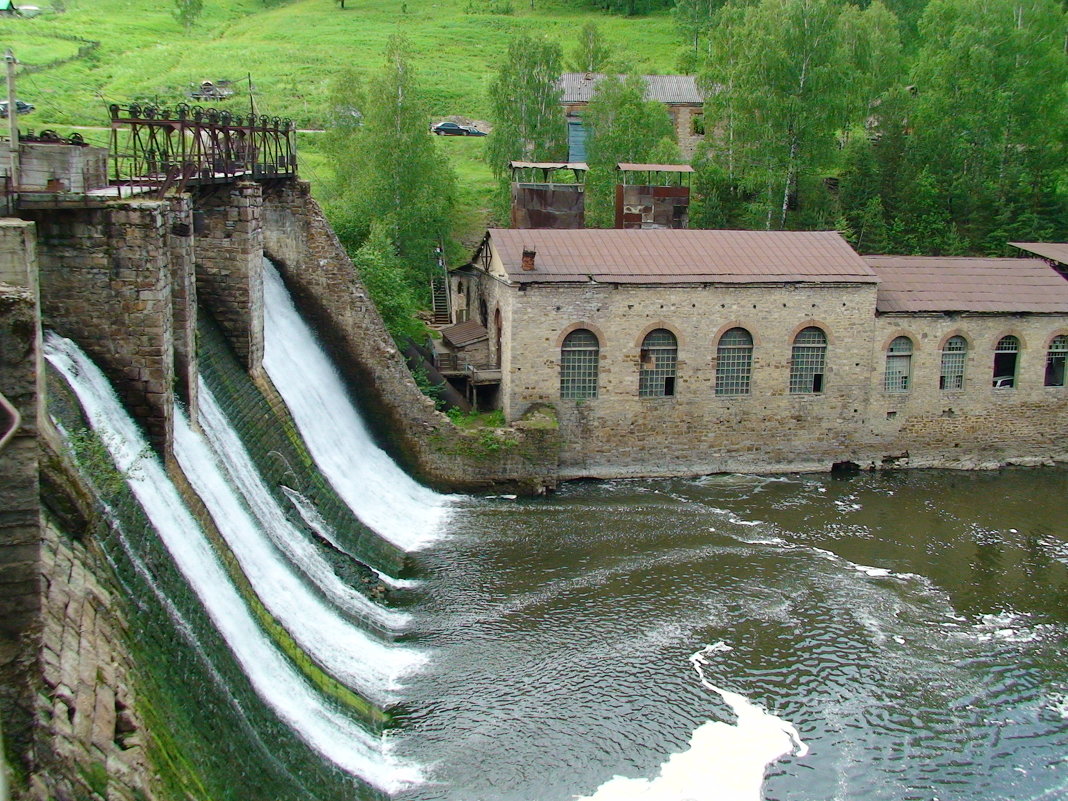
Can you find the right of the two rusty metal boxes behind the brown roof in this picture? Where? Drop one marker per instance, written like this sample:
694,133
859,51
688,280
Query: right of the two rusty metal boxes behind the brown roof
653,196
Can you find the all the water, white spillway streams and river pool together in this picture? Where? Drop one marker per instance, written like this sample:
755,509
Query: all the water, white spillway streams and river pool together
886,637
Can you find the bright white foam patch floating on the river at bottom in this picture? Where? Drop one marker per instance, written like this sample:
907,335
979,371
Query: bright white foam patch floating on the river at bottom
725,762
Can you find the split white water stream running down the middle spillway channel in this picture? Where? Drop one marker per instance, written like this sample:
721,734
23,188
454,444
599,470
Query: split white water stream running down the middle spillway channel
339,646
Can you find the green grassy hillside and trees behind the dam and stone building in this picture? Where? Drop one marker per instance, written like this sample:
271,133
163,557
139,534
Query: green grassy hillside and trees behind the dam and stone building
910,127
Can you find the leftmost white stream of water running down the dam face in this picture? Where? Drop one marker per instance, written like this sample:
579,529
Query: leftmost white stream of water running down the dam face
337,737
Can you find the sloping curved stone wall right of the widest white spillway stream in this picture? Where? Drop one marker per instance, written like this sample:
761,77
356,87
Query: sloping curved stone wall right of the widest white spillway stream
322,277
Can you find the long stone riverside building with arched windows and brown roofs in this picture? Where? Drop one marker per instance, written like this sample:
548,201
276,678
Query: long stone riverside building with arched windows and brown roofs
717,352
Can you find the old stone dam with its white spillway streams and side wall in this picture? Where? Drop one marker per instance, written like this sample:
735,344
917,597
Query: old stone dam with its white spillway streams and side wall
205,544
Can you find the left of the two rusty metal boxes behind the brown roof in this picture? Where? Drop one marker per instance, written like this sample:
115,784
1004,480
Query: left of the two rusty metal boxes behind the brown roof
545,203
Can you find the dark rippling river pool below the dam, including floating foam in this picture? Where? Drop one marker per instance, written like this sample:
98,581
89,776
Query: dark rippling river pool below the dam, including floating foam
897,636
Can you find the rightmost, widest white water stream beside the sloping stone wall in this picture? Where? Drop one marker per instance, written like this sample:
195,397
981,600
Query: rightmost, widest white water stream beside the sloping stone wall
379,492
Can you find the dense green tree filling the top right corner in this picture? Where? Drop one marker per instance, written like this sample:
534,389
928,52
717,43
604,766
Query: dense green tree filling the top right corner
991,119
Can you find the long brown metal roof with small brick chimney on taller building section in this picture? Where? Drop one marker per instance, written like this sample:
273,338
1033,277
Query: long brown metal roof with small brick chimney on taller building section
615,256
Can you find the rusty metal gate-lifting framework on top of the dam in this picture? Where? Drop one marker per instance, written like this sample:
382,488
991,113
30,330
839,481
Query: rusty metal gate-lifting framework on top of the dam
161,149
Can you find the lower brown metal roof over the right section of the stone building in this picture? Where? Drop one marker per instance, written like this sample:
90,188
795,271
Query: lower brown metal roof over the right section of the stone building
968,285
